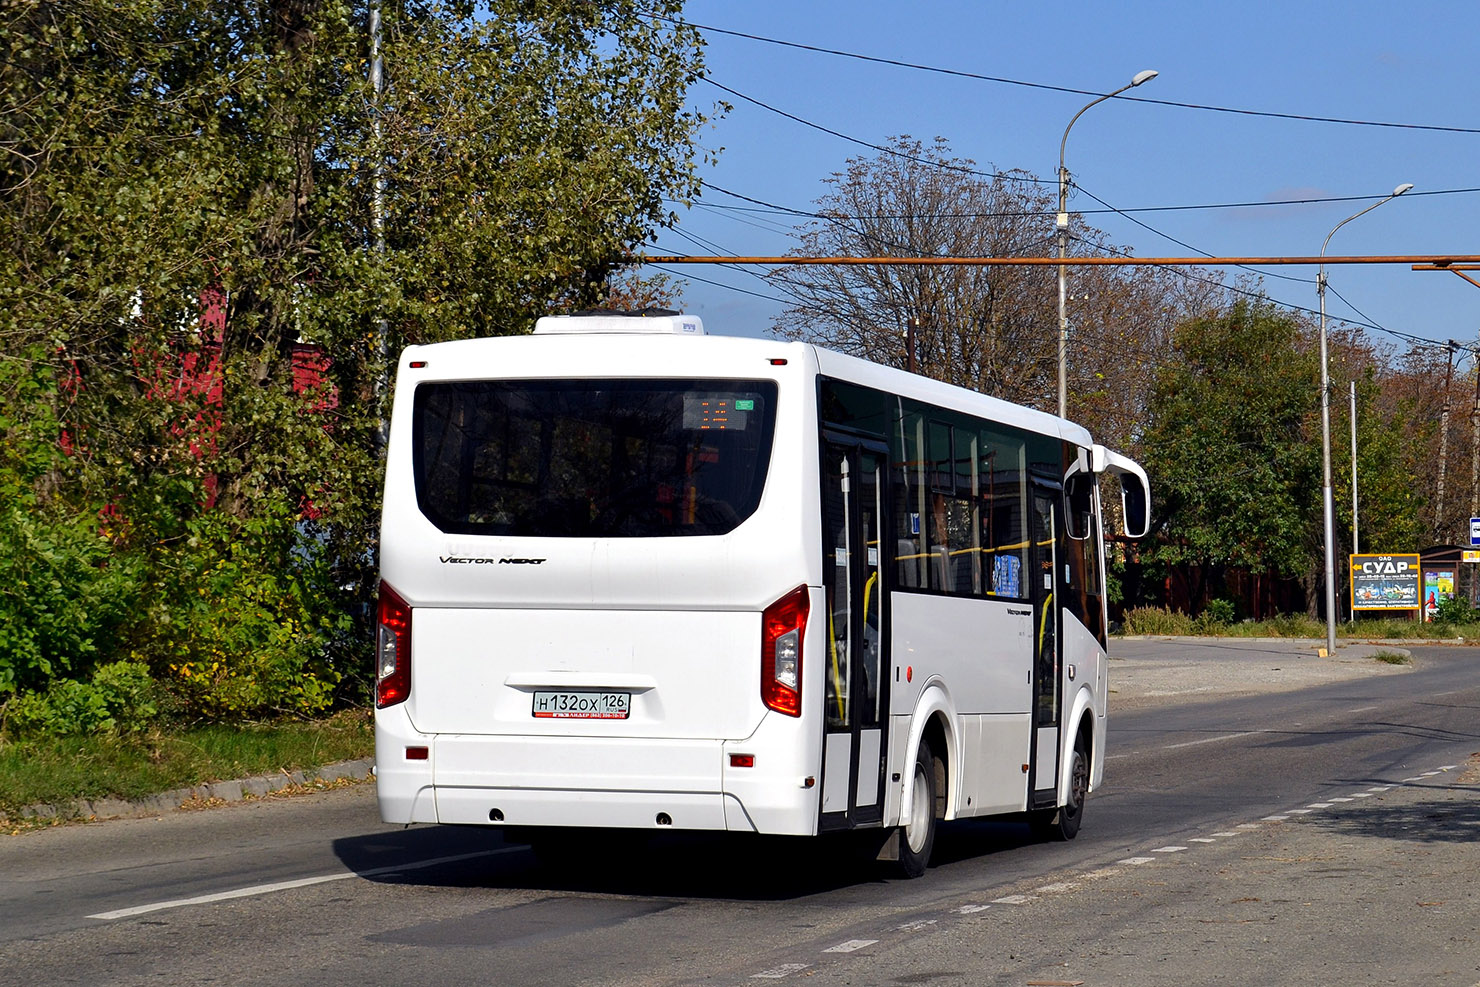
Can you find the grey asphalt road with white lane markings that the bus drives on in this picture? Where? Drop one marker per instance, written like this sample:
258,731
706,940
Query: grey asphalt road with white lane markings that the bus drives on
316,892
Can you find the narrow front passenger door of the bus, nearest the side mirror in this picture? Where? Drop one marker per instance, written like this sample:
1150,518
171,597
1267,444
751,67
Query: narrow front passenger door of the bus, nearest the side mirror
1044,575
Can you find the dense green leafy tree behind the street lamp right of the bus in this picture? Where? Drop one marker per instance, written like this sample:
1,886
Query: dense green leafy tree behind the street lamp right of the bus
1234,451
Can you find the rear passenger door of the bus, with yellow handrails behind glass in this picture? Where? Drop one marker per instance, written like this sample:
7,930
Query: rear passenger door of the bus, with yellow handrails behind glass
853,579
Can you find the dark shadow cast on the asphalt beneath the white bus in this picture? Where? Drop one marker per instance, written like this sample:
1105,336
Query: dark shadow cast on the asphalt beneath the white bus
704,866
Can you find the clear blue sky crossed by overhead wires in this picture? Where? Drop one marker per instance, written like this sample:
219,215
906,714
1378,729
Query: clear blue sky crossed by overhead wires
1353,60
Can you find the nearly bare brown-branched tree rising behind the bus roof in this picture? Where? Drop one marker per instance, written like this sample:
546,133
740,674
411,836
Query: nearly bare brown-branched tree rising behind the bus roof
988,329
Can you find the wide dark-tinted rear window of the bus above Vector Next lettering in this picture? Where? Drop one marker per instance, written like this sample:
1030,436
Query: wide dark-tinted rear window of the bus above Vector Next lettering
593,458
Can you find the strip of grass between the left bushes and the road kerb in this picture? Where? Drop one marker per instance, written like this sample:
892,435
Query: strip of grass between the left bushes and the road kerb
61,770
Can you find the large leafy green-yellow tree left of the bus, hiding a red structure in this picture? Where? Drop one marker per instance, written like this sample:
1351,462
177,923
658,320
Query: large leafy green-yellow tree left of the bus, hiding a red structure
187,201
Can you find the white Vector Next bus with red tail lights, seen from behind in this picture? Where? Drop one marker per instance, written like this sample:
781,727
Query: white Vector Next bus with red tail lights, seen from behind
636,576
